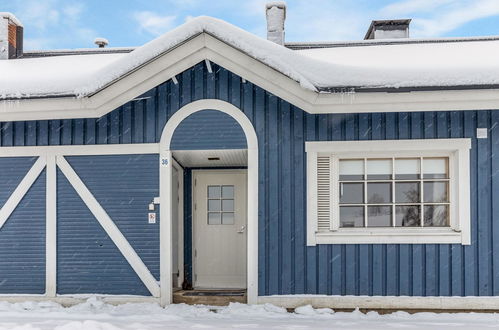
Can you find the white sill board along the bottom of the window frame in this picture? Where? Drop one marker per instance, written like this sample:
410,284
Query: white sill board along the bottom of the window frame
392,236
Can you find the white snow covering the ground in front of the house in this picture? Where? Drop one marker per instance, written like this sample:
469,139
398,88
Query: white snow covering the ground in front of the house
96,315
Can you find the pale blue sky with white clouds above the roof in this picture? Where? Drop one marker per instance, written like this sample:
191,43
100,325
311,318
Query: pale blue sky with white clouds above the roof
54,24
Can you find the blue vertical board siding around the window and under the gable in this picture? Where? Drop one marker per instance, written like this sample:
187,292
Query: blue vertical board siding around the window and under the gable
286,264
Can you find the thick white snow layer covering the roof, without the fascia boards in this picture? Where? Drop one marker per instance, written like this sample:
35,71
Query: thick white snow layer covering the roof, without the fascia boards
388,65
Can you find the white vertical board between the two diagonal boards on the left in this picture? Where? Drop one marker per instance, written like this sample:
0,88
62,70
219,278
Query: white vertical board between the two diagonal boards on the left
51,228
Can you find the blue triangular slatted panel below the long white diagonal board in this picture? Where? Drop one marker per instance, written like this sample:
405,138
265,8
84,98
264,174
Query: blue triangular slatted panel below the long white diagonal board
87,259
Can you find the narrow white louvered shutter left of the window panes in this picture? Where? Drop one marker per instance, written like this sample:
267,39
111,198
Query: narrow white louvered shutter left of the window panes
324,193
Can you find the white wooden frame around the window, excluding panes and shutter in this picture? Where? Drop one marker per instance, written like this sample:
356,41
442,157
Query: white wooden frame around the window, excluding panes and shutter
457,150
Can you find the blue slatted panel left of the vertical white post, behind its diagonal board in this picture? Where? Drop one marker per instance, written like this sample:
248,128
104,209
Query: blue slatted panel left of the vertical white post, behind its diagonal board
22,237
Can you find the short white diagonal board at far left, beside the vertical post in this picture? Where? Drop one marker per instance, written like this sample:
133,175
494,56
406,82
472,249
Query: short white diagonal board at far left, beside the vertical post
21,190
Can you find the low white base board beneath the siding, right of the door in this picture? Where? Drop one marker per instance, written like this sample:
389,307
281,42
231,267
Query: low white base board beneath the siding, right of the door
384,302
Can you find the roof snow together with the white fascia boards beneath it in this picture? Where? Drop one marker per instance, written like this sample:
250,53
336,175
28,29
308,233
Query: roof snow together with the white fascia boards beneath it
93,85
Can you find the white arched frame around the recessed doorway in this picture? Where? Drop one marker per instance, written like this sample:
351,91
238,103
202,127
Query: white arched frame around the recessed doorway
166,161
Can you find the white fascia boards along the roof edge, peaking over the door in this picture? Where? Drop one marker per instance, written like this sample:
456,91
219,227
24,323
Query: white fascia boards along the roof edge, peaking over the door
207,47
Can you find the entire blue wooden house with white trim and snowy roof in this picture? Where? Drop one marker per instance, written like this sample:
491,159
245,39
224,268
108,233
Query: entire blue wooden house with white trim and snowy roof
341,174
